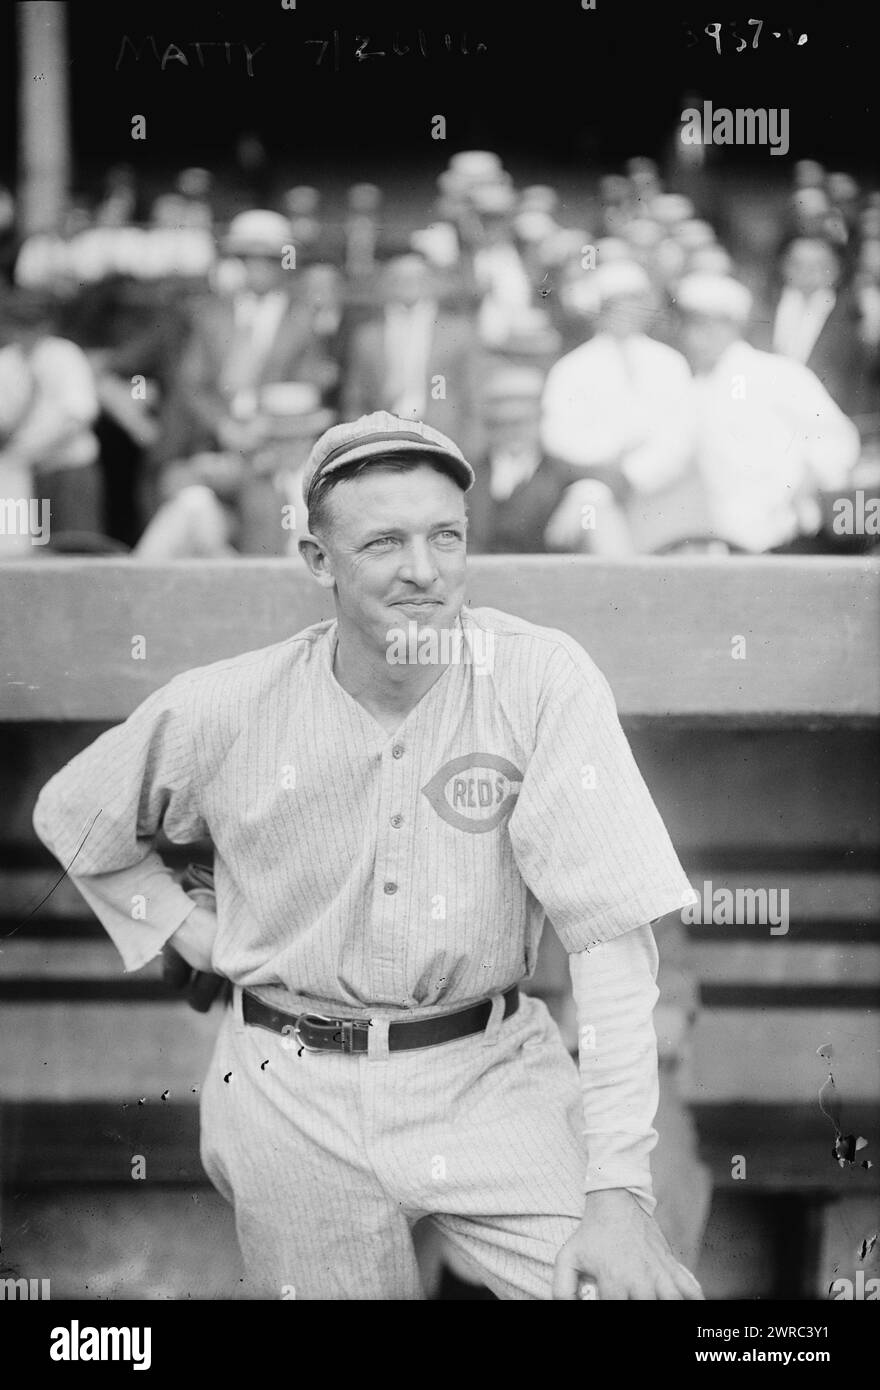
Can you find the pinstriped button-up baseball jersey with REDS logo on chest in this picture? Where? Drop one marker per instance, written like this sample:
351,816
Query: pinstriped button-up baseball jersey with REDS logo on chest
362,869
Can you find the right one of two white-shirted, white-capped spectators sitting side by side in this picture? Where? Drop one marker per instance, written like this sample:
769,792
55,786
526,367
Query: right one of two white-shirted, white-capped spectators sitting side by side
769,436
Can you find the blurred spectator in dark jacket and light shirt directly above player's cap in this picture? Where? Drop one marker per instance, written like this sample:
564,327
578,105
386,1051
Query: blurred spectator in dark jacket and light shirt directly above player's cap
415,358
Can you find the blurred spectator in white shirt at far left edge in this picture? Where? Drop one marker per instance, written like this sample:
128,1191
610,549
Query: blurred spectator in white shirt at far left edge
48,444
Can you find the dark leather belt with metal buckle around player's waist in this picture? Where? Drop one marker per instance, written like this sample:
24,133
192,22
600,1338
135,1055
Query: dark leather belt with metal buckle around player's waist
318,1033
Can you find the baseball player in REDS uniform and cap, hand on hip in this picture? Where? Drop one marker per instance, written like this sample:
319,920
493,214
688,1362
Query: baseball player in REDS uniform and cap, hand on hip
398,799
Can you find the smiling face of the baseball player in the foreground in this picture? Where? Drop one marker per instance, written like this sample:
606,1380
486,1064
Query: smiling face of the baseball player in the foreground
396,543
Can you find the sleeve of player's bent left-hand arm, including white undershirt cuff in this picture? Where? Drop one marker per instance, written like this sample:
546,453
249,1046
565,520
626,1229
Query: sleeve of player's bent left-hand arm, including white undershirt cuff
101,817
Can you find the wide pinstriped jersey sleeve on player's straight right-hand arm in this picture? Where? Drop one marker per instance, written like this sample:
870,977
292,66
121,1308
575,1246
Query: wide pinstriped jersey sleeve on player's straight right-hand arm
586,833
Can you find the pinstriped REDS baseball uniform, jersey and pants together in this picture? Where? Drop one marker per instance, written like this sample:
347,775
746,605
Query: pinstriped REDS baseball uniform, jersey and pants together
394,876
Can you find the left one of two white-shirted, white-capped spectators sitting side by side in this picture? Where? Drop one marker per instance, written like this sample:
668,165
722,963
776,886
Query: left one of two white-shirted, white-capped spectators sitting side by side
621,408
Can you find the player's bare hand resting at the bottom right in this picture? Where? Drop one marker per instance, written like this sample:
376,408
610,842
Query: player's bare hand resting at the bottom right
624,1253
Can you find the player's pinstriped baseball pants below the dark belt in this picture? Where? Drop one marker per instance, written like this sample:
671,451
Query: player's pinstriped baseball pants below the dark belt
330,1160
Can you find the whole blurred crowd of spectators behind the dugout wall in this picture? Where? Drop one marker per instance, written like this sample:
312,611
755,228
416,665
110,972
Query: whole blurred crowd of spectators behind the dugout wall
622,389
